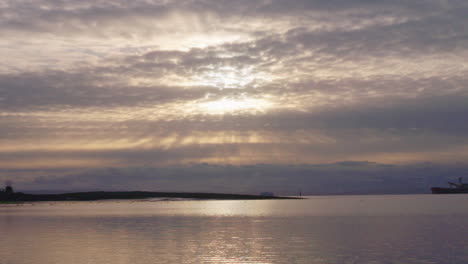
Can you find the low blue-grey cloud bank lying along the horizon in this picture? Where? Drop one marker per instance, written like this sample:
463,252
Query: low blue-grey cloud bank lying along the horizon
344,177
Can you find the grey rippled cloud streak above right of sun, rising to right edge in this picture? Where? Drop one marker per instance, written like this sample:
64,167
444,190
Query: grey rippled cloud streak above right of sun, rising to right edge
444,34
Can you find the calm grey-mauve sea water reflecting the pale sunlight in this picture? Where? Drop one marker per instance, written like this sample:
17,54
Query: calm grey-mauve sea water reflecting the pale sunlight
327,229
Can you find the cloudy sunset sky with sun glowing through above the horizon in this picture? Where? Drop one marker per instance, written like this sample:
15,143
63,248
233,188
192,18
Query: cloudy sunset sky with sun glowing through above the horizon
241,96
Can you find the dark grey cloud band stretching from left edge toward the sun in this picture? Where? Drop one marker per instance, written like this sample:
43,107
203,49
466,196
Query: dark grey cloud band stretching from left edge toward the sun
83,89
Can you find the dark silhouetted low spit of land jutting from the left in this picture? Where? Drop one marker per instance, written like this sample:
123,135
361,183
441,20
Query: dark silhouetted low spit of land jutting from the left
92,196
